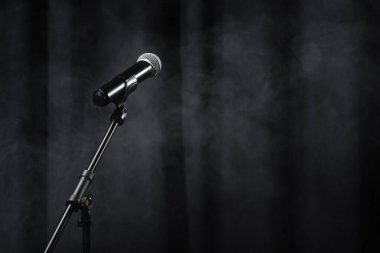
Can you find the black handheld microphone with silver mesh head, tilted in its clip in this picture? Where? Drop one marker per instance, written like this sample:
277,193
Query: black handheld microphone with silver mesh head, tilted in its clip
118,89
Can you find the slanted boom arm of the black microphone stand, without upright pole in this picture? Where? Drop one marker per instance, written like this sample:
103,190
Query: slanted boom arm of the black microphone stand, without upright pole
73,204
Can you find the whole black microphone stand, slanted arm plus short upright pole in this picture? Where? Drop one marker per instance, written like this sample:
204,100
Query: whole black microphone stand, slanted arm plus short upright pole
78,200
